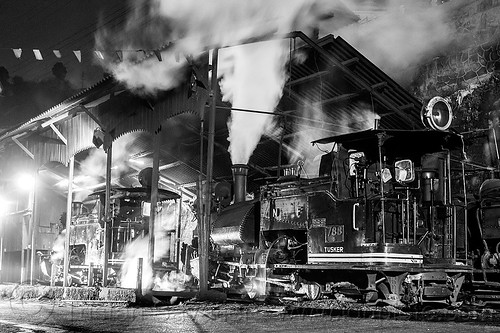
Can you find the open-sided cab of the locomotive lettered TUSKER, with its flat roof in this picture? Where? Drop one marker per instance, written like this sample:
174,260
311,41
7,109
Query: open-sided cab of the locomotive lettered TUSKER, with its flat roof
395,200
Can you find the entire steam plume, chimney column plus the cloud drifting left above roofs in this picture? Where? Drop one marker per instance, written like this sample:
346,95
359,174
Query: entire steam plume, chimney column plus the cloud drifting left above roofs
195,26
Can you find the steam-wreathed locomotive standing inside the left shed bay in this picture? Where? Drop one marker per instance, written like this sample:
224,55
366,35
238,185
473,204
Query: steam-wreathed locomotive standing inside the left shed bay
129,222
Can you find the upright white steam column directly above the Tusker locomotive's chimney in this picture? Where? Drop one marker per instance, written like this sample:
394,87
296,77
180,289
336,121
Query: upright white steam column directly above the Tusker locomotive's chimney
252,78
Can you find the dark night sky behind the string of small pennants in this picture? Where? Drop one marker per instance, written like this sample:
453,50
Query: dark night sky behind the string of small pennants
48,25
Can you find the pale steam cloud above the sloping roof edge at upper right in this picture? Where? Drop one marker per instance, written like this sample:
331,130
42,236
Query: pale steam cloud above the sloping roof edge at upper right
401,37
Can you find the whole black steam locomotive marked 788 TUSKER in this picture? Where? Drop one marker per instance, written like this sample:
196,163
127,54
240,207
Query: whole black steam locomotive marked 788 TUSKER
387,220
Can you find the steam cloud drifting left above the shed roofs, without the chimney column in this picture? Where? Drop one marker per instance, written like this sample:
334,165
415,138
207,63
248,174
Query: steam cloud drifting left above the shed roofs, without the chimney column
192,27
